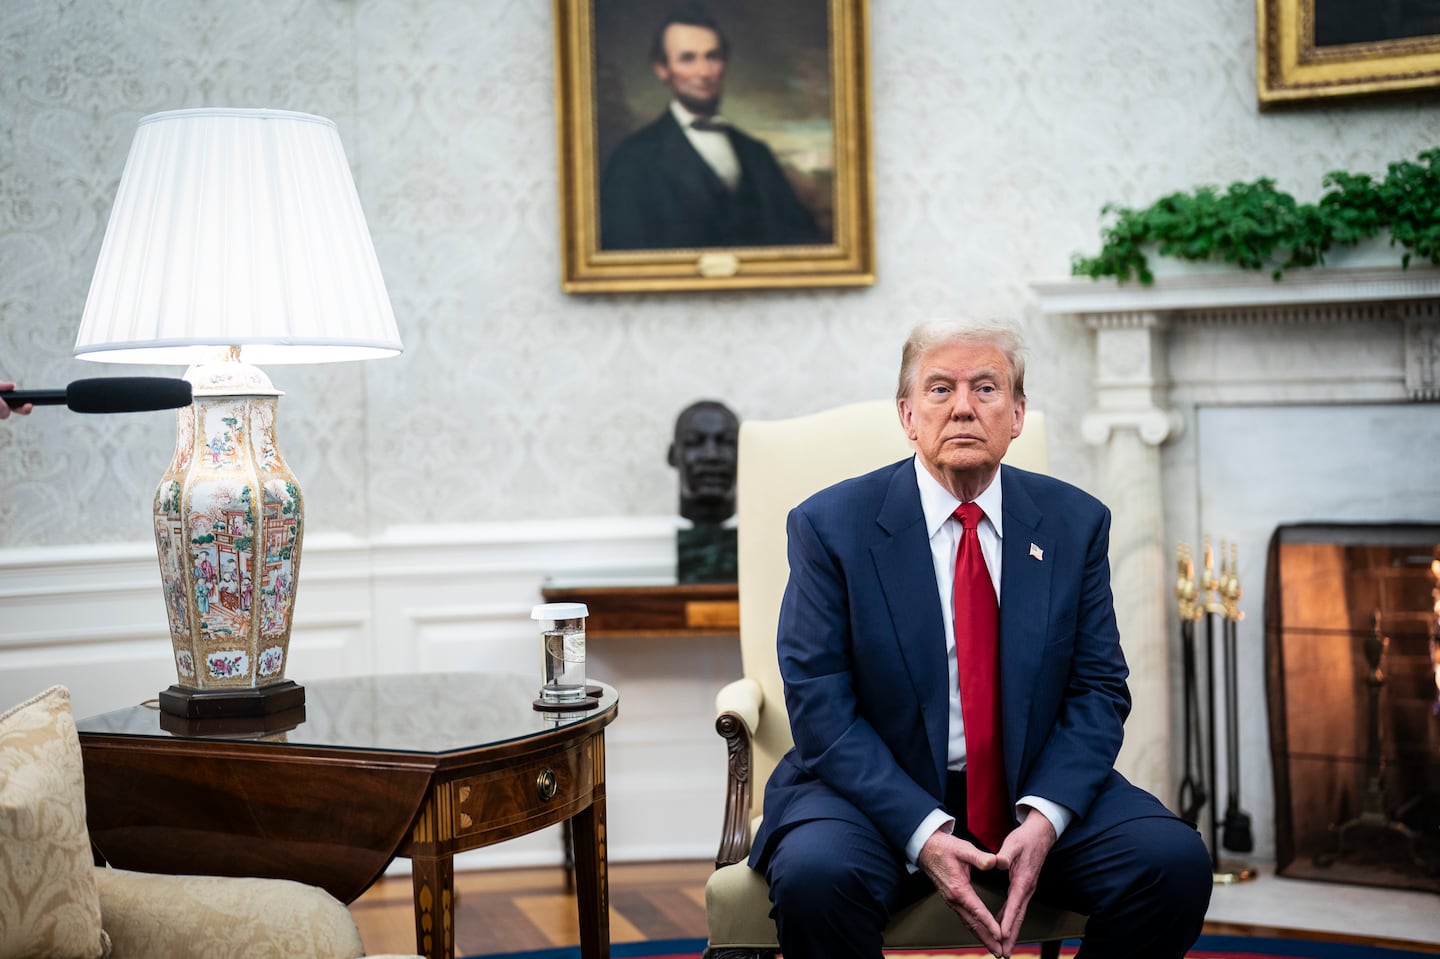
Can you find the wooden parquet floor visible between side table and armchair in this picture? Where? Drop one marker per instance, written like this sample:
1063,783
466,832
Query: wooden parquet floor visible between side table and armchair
513,911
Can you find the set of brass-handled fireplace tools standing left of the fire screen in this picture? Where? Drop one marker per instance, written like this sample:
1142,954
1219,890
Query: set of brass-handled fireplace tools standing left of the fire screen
1218,597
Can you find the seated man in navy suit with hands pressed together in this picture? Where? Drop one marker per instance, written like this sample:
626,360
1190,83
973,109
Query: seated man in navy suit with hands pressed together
869,811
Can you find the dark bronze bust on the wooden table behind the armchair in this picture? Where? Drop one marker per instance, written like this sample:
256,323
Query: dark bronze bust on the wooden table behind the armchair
706,453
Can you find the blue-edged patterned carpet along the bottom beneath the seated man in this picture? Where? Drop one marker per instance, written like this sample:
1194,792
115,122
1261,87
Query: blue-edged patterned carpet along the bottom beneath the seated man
1207,948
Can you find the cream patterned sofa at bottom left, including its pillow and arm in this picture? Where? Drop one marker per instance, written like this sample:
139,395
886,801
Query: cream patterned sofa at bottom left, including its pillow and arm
55,902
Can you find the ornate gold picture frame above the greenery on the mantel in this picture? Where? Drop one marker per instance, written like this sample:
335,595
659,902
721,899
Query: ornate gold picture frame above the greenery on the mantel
1317,50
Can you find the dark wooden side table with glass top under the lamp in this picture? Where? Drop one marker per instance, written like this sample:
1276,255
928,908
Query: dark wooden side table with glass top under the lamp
421,767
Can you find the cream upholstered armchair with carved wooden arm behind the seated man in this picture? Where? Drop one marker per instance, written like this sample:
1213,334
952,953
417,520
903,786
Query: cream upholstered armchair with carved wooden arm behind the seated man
781,464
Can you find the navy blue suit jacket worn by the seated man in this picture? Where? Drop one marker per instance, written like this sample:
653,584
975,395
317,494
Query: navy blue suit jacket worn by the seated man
862,652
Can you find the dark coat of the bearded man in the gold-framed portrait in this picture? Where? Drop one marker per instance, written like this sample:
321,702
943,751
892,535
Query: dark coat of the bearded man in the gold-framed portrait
659,194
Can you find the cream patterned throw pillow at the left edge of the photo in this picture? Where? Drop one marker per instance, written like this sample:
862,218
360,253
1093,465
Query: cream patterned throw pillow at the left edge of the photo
50,906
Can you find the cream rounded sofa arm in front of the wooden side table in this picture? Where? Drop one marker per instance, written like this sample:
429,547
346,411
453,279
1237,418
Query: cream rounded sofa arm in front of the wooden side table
185,917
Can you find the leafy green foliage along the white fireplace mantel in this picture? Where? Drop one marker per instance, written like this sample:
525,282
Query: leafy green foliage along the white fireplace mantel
1258,227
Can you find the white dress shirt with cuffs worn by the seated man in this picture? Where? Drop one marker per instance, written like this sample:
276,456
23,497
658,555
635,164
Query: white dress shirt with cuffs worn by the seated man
940,506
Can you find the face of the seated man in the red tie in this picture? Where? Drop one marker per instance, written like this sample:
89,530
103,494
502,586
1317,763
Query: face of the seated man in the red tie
963,414
